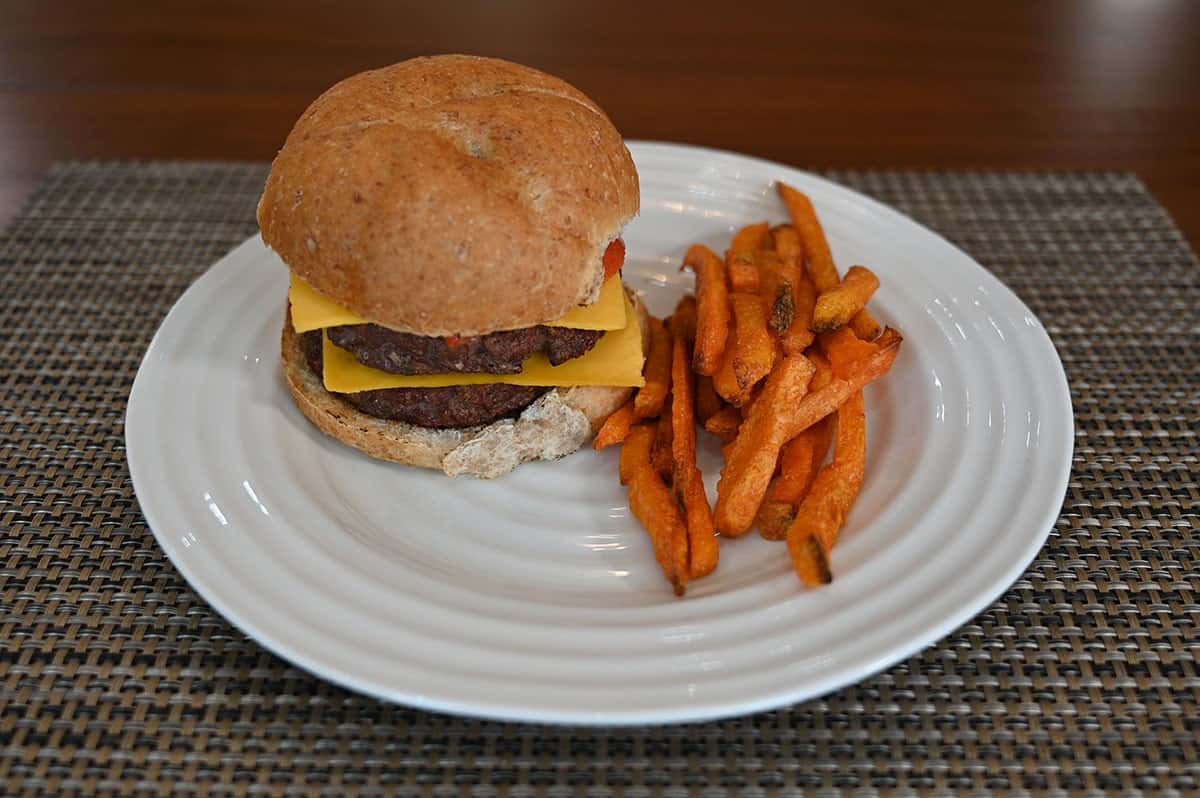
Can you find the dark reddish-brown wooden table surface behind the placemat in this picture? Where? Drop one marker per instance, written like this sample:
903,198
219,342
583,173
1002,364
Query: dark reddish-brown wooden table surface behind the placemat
932,86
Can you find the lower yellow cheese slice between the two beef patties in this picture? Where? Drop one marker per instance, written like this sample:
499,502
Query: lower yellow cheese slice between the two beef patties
615,361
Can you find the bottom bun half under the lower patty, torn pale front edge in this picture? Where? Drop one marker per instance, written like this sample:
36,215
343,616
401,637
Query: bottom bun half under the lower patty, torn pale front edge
557,424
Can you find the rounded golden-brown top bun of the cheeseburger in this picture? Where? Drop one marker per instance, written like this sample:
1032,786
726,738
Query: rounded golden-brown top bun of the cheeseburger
451,196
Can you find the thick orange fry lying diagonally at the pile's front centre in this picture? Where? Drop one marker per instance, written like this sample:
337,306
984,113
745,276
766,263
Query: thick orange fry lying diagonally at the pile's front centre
755,453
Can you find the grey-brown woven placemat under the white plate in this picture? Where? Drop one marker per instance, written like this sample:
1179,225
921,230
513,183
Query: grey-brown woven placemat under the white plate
116,679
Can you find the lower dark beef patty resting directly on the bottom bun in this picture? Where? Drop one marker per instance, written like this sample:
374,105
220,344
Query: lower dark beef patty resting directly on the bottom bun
457,406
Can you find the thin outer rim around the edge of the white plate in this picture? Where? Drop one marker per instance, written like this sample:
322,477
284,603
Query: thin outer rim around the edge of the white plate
1058,398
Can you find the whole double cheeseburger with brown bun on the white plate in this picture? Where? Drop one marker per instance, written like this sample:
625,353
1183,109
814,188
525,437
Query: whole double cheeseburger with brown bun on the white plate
452,227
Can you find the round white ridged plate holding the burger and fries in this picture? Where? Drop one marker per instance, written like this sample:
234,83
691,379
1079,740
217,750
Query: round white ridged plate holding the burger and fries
536,597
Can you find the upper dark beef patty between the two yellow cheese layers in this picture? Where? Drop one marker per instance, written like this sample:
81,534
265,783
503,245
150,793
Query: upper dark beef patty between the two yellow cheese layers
497,353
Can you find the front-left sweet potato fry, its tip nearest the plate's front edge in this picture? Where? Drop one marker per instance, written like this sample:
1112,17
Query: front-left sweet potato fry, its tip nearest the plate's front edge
653,506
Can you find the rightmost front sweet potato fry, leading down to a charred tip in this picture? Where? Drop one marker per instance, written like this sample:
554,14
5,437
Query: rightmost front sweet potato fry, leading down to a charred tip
836,488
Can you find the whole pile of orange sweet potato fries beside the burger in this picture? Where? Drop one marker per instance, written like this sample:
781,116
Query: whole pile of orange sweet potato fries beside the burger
771,356
